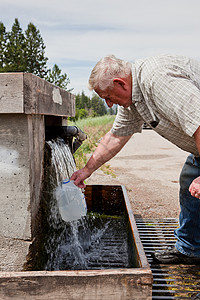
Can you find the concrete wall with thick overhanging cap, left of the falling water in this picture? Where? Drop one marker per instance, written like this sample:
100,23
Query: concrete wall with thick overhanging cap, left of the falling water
25,102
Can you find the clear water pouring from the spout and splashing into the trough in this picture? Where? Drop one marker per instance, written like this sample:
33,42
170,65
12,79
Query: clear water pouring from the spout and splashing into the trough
94,241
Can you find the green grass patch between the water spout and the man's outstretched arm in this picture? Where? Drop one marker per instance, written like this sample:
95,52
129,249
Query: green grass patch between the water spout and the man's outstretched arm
95,128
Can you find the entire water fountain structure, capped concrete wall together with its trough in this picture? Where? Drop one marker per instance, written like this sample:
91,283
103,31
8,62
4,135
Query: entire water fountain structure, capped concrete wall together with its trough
28,105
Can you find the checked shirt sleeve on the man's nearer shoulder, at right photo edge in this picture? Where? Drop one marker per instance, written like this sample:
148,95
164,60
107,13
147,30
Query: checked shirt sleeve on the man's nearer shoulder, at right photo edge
177,98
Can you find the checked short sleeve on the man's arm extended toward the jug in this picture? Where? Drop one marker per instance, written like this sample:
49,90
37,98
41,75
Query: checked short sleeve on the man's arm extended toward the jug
127,121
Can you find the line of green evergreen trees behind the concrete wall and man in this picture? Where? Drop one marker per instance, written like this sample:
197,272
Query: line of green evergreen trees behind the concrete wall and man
25,52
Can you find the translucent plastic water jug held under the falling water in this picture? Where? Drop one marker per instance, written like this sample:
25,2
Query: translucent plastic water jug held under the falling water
71,201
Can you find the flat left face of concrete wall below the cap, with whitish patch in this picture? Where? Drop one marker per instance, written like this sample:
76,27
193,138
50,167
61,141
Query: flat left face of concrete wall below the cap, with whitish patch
15,210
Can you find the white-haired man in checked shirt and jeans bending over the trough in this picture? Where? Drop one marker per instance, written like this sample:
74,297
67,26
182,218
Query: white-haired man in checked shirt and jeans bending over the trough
164,92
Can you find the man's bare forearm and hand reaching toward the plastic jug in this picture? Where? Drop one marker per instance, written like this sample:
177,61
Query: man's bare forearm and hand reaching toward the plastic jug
109,146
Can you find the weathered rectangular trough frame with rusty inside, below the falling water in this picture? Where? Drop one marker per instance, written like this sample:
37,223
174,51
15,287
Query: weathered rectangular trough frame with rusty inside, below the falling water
124,283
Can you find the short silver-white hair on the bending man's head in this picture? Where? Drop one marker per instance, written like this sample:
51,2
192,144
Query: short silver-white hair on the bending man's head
108,68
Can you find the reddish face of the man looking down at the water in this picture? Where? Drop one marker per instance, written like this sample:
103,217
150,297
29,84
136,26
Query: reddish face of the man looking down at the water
116,95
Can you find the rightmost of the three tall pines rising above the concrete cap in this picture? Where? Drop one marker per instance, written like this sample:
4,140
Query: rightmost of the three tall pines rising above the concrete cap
35,52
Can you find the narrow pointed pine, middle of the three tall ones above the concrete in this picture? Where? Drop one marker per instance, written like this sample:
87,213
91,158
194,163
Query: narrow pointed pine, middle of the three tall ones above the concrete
15,50
